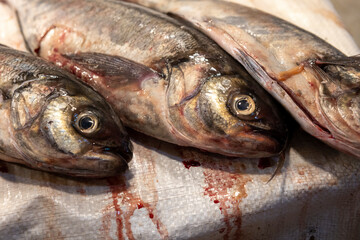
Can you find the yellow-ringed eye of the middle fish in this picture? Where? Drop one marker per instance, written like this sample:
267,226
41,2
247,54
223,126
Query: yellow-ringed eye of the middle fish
241,104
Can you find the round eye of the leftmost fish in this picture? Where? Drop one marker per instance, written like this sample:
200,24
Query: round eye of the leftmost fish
87,122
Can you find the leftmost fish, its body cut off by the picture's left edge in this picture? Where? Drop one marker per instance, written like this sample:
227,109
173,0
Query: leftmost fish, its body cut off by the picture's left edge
52,122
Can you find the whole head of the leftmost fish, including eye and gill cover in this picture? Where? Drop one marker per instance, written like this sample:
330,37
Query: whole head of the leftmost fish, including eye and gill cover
64,126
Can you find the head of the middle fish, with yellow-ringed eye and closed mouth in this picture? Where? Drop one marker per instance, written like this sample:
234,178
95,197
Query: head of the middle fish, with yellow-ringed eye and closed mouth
238,116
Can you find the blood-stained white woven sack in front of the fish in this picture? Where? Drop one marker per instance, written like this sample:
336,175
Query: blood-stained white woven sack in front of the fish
179,193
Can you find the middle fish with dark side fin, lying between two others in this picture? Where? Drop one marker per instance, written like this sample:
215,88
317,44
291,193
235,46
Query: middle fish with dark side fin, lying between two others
175,83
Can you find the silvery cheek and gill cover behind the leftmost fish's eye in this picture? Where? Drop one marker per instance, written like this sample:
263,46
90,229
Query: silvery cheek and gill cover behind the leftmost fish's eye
42,131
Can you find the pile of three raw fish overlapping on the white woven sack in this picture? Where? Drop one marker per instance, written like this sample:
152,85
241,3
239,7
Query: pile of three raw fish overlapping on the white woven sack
164,78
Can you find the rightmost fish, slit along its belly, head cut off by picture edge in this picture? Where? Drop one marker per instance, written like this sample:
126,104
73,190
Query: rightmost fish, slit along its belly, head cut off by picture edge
315,82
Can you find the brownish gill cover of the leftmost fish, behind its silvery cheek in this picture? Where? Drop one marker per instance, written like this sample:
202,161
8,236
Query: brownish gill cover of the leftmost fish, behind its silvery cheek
28,103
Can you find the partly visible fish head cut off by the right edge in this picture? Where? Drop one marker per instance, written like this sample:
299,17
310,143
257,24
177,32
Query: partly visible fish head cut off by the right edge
339,97
